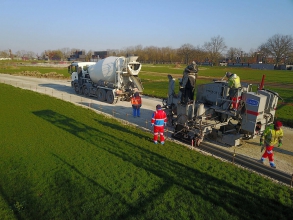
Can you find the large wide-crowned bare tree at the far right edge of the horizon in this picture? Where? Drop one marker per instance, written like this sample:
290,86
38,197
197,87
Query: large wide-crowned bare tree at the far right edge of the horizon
278,47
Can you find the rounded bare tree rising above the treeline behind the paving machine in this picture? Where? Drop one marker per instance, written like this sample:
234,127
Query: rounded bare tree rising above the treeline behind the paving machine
215,48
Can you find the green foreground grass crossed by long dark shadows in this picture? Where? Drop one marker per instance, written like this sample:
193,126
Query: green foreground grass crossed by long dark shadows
61,161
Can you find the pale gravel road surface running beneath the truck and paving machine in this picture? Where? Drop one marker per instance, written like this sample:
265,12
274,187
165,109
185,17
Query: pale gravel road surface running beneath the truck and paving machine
61,89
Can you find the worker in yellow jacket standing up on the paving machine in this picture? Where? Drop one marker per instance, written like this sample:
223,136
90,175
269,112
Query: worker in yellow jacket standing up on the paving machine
234,84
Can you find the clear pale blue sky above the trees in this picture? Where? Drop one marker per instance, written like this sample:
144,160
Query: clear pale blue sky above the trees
36,25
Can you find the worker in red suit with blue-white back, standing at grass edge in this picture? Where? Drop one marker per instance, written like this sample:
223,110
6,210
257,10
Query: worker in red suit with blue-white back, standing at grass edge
159,120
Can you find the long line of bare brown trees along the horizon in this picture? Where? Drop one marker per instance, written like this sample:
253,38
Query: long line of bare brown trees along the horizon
278,49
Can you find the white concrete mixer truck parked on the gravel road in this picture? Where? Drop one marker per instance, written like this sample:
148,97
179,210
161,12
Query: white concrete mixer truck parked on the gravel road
110,79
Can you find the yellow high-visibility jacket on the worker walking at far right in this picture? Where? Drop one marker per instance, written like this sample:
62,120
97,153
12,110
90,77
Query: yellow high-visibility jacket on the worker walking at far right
271,136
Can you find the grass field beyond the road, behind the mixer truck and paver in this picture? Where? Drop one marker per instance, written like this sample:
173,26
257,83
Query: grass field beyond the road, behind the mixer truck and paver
155,80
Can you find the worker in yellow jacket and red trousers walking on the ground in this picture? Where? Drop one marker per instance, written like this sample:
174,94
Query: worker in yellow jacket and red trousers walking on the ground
272,135
